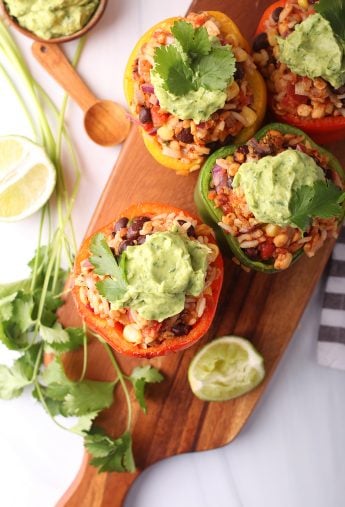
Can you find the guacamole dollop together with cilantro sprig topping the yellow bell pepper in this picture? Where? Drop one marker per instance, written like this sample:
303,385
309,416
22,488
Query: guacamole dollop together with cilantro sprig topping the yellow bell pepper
191,75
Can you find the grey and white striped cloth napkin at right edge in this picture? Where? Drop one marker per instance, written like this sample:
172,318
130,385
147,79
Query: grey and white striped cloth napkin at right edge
331,344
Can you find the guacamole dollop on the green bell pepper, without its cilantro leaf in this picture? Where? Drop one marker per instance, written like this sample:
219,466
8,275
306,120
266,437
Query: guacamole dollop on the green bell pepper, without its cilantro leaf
270,182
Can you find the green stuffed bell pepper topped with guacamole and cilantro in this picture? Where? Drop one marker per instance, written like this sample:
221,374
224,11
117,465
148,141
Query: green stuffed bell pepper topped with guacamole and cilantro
272,199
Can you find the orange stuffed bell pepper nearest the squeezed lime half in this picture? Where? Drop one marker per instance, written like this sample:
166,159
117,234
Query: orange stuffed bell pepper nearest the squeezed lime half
149,282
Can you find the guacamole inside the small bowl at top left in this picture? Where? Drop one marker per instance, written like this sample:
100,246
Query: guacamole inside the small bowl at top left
52,18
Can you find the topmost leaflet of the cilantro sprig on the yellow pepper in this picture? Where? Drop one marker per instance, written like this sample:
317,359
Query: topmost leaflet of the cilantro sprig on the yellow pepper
194,41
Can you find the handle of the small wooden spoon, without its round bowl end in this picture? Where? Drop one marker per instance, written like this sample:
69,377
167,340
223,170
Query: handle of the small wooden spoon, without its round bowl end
51,57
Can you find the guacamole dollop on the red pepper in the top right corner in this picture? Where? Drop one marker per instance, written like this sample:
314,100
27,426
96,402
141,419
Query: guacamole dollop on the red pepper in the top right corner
313,50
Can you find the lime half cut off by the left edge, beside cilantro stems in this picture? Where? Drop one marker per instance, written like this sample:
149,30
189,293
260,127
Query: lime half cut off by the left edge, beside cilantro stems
27,178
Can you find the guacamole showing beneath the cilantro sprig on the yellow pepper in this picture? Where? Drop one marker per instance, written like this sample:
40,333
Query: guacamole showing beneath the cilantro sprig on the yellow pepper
197,105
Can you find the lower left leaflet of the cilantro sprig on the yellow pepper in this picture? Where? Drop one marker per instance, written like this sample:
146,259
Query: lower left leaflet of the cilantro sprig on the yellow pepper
174,71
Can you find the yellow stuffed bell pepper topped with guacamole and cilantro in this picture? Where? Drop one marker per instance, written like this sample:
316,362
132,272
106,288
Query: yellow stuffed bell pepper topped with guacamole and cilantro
192,86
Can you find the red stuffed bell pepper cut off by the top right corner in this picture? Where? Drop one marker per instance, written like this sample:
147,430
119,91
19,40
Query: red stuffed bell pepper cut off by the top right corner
300,50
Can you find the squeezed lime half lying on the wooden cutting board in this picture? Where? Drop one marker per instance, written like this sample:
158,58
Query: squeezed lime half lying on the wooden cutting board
225,368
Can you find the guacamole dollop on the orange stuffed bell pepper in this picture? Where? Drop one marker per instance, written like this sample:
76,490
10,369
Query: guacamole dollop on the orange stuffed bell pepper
161,272
